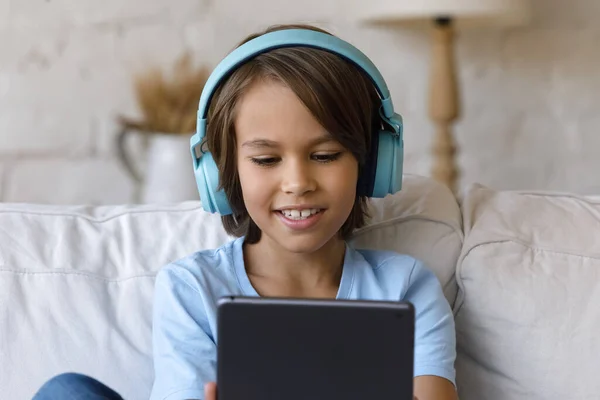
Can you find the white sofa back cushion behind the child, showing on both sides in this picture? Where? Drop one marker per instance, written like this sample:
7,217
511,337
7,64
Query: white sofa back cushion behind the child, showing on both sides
76,282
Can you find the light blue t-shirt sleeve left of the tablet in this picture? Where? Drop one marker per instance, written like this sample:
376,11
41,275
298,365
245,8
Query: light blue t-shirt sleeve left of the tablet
184,350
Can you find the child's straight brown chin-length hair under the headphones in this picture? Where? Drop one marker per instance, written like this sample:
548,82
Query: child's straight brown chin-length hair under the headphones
339,95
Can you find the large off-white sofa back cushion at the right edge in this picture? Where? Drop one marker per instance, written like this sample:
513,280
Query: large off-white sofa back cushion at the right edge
527,314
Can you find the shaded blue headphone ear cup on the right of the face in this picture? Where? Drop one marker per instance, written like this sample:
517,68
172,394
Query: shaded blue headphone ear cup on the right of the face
390,157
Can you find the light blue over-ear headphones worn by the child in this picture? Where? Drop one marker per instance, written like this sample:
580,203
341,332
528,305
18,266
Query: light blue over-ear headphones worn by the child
383,172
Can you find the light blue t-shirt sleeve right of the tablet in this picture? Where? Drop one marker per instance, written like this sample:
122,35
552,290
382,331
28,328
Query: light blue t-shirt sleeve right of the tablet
435,335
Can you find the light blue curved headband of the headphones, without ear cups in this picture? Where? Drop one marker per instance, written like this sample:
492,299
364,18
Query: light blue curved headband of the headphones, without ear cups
294,38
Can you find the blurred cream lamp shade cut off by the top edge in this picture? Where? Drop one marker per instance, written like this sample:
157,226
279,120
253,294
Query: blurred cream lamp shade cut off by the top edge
466,13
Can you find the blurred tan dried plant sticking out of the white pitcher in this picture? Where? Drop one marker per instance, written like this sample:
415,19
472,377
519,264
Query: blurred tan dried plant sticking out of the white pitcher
168,105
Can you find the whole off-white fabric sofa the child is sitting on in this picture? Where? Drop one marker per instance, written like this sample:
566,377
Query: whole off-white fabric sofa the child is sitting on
521,271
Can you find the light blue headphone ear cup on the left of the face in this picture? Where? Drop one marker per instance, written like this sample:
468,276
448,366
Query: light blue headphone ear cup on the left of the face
207,179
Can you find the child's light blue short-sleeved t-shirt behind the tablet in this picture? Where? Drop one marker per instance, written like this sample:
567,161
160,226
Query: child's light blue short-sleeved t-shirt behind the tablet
185,302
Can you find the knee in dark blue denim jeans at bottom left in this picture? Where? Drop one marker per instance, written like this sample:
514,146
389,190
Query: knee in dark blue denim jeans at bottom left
71,386
